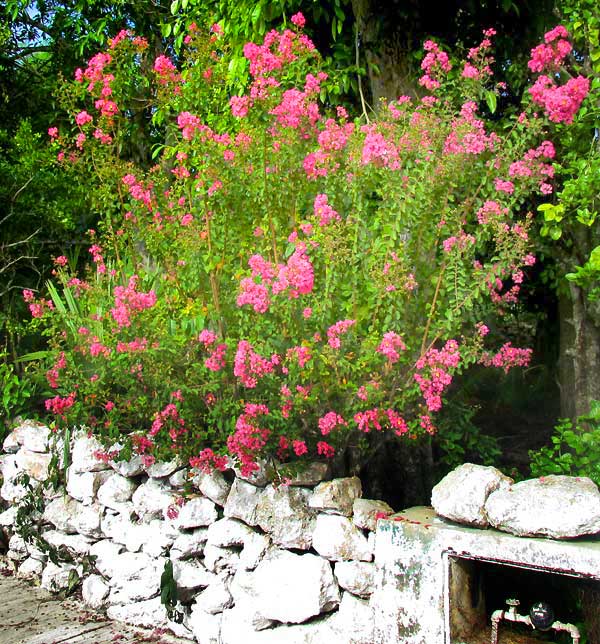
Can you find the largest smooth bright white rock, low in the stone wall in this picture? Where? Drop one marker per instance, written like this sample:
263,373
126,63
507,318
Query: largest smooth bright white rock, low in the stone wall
293,588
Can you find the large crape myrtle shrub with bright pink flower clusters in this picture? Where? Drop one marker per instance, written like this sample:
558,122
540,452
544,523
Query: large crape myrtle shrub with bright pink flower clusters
286,282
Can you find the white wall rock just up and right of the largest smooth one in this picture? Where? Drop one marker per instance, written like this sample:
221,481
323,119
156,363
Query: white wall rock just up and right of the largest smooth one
336,538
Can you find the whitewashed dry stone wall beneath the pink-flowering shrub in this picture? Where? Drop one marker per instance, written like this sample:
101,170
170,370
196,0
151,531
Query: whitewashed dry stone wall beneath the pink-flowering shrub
252,562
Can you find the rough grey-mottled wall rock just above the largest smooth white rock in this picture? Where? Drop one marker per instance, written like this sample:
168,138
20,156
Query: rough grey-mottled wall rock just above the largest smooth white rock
284,514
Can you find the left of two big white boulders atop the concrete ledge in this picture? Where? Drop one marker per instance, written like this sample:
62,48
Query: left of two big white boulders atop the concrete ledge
462,494
